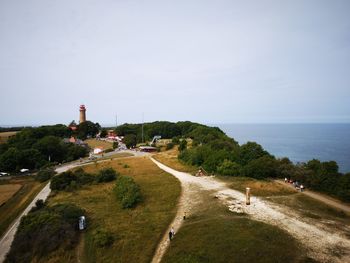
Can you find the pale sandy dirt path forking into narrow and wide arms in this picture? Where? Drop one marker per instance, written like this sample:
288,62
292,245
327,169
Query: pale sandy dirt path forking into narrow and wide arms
322,243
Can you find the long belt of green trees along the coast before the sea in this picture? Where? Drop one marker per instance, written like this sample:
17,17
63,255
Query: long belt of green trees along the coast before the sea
217,153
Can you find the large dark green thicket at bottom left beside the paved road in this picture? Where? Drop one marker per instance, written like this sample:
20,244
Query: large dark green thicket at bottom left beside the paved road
44,230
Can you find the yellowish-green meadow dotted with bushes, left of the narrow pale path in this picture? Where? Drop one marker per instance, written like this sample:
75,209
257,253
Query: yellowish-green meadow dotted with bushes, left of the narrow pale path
137,231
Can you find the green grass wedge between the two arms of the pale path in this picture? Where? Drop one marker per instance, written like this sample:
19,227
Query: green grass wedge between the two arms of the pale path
213,234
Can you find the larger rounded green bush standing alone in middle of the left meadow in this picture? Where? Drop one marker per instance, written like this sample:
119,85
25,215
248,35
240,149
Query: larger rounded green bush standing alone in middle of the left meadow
127,192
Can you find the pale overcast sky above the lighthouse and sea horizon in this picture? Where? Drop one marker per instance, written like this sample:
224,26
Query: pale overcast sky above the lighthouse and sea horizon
204,61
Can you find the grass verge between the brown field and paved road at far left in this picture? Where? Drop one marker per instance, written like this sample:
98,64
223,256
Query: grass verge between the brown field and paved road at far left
18,202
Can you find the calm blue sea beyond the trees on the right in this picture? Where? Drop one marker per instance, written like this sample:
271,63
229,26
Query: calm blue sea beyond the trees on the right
298,142
